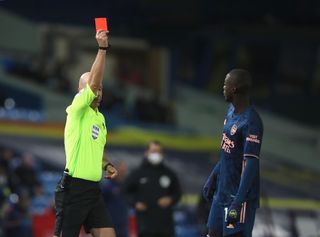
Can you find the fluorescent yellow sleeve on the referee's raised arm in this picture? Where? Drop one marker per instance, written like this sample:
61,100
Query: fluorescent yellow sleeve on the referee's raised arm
82,100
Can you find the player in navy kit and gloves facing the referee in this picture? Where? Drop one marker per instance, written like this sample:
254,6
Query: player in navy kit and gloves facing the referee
234,183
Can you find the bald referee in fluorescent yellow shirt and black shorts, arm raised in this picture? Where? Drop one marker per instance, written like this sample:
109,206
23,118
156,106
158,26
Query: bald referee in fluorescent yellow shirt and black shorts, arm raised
78,199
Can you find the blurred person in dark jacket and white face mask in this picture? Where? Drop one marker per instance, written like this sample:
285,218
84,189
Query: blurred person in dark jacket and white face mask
153,189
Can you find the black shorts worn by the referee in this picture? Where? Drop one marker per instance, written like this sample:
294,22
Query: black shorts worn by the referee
80,203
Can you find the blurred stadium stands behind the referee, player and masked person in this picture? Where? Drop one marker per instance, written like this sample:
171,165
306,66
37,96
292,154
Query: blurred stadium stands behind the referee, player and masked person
163,81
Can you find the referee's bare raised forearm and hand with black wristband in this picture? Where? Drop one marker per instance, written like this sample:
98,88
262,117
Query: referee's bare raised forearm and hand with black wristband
97,69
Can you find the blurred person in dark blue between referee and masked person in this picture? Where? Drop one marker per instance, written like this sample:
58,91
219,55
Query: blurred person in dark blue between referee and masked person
114,198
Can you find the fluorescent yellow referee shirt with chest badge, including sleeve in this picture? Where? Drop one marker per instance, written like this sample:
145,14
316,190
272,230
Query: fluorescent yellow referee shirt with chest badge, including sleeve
84,137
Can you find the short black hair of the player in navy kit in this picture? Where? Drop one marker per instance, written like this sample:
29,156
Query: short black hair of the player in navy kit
242,80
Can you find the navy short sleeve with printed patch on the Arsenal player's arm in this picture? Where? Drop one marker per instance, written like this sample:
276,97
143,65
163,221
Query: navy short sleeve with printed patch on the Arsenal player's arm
253,134
